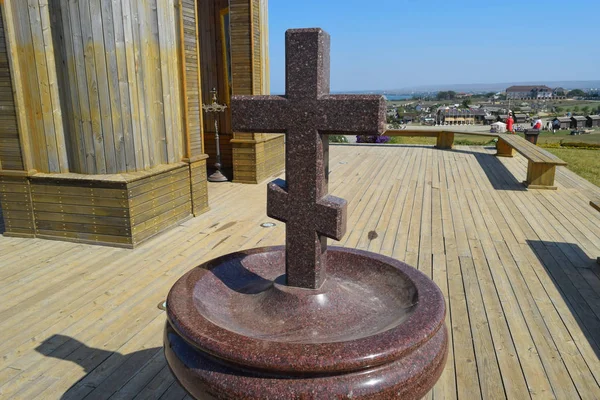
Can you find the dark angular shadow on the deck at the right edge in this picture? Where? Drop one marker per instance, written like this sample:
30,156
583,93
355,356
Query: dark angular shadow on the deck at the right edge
577,278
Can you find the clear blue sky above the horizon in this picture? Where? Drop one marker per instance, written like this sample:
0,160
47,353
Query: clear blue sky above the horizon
390,44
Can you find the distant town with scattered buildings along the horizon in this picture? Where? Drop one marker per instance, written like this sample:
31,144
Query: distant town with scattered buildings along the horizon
570,109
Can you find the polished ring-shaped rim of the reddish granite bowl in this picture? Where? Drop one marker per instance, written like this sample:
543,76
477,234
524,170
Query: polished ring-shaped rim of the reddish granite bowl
336,357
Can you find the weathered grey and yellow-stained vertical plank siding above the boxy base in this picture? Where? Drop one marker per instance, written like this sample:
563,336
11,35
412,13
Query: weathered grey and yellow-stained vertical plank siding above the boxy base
100,81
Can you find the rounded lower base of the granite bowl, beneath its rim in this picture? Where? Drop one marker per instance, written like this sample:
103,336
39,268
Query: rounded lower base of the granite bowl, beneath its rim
206,377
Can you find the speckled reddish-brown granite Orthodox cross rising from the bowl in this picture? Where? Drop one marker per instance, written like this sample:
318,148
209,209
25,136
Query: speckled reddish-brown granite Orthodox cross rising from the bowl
306,114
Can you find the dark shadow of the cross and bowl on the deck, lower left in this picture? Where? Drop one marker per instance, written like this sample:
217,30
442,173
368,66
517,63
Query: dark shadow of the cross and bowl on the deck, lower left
108,372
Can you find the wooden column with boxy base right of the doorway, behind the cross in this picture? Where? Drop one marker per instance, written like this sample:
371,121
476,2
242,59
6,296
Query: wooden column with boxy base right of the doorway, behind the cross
256,156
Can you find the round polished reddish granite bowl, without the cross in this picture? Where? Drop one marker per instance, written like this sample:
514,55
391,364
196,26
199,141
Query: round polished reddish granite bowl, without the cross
374,330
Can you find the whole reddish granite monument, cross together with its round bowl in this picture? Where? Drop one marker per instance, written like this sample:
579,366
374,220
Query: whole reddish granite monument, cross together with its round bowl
302,321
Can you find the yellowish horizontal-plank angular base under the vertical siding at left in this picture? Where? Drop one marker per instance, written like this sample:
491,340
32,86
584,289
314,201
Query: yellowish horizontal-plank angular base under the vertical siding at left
122,212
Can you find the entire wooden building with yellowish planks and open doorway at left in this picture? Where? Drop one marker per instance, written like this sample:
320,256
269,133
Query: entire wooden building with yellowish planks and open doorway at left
103,139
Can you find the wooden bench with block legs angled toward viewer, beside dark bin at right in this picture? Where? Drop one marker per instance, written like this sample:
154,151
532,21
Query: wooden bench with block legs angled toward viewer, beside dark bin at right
542,164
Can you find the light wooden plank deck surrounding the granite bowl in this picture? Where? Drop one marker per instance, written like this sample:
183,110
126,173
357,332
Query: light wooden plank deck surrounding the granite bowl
518,269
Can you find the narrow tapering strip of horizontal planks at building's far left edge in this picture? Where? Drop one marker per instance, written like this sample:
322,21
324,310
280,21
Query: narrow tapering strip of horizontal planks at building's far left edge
10,145
